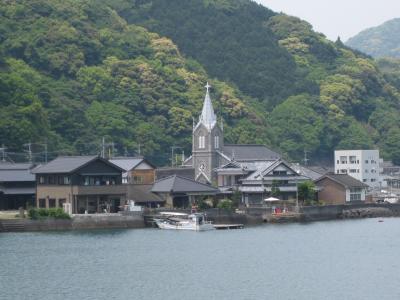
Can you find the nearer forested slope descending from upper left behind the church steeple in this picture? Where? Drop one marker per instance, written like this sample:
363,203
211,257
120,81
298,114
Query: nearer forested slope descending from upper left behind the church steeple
73,72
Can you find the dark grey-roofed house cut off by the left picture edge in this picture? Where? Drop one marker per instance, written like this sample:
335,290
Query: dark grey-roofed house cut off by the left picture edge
17,185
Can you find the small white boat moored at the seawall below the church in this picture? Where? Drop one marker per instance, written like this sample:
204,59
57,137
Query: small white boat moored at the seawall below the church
196,222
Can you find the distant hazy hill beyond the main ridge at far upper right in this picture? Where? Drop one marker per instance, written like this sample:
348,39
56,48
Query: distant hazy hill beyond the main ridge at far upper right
380,41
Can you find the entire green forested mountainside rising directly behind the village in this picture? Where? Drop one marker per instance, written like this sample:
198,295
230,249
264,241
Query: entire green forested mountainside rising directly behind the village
133,71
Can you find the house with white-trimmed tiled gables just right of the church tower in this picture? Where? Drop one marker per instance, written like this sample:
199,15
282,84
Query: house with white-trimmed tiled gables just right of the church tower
257,180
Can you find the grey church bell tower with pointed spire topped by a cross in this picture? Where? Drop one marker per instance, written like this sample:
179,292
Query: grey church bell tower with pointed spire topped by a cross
208,140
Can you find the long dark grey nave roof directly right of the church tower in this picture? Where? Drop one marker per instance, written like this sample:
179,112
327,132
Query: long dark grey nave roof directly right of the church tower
250,152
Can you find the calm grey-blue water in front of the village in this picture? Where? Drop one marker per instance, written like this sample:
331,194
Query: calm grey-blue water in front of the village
326,260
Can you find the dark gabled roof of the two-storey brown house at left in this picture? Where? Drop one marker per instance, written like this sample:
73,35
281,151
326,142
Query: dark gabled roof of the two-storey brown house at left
69,164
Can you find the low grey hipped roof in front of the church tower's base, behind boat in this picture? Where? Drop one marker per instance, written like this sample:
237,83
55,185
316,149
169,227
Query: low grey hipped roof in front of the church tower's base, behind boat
177,184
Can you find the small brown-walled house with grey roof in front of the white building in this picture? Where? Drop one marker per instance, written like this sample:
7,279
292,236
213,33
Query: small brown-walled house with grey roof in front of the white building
340,189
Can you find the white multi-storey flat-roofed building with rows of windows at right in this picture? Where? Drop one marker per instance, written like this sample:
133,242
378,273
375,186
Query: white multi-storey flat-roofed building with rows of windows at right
363,165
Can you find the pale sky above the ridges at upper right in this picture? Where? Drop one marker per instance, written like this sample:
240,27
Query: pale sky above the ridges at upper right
344,18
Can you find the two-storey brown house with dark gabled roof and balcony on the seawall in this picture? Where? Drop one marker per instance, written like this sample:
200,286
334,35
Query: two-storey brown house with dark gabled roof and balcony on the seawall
87,183
